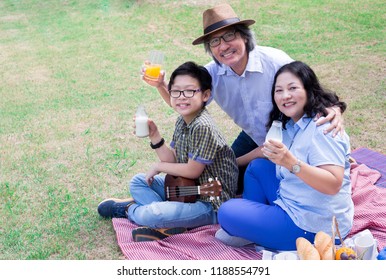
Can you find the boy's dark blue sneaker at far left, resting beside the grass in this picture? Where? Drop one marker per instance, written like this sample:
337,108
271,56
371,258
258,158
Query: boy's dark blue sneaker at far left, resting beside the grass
114,207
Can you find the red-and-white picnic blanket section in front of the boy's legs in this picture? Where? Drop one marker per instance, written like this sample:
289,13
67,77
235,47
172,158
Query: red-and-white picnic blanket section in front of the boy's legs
196,244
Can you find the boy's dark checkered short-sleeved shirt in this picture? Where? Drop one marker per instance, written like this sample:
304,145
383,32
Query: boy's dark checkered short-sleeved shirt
201,141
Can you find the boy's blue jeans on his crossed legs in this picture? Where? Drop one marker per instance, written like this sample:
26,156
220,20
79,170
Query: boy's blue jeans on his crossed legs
152,210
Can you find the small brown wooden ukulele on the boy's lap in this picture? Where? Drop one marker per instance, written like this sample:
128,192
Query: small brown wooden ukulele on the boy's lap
185,190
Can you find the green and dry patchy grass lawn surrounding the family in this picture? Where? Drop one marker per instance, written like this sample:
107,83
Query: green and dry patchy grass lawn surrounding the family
70,85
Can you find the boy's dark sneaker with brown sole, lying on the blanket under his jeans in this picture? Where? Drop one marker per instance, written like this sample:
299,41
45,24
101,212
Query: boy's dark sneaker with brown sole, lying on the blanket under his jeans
151,234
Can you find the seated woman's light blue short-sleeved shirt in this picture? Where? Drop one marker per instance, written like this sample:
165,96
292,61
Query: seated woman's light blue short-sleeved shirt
310,209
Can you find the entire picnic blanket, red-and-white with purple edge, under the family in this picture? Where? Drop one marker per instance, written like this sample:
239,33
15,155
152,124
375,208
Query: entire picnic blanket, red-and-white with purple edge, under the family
200,243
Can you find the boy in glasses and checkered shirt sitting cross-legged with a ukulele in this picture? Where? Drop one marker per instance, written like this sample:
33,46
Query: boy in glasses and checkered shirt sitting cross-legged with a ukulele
198,151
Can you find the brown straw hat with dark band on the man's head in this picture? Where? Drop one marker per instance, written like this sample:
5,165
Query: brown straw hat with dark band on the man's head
217,18
